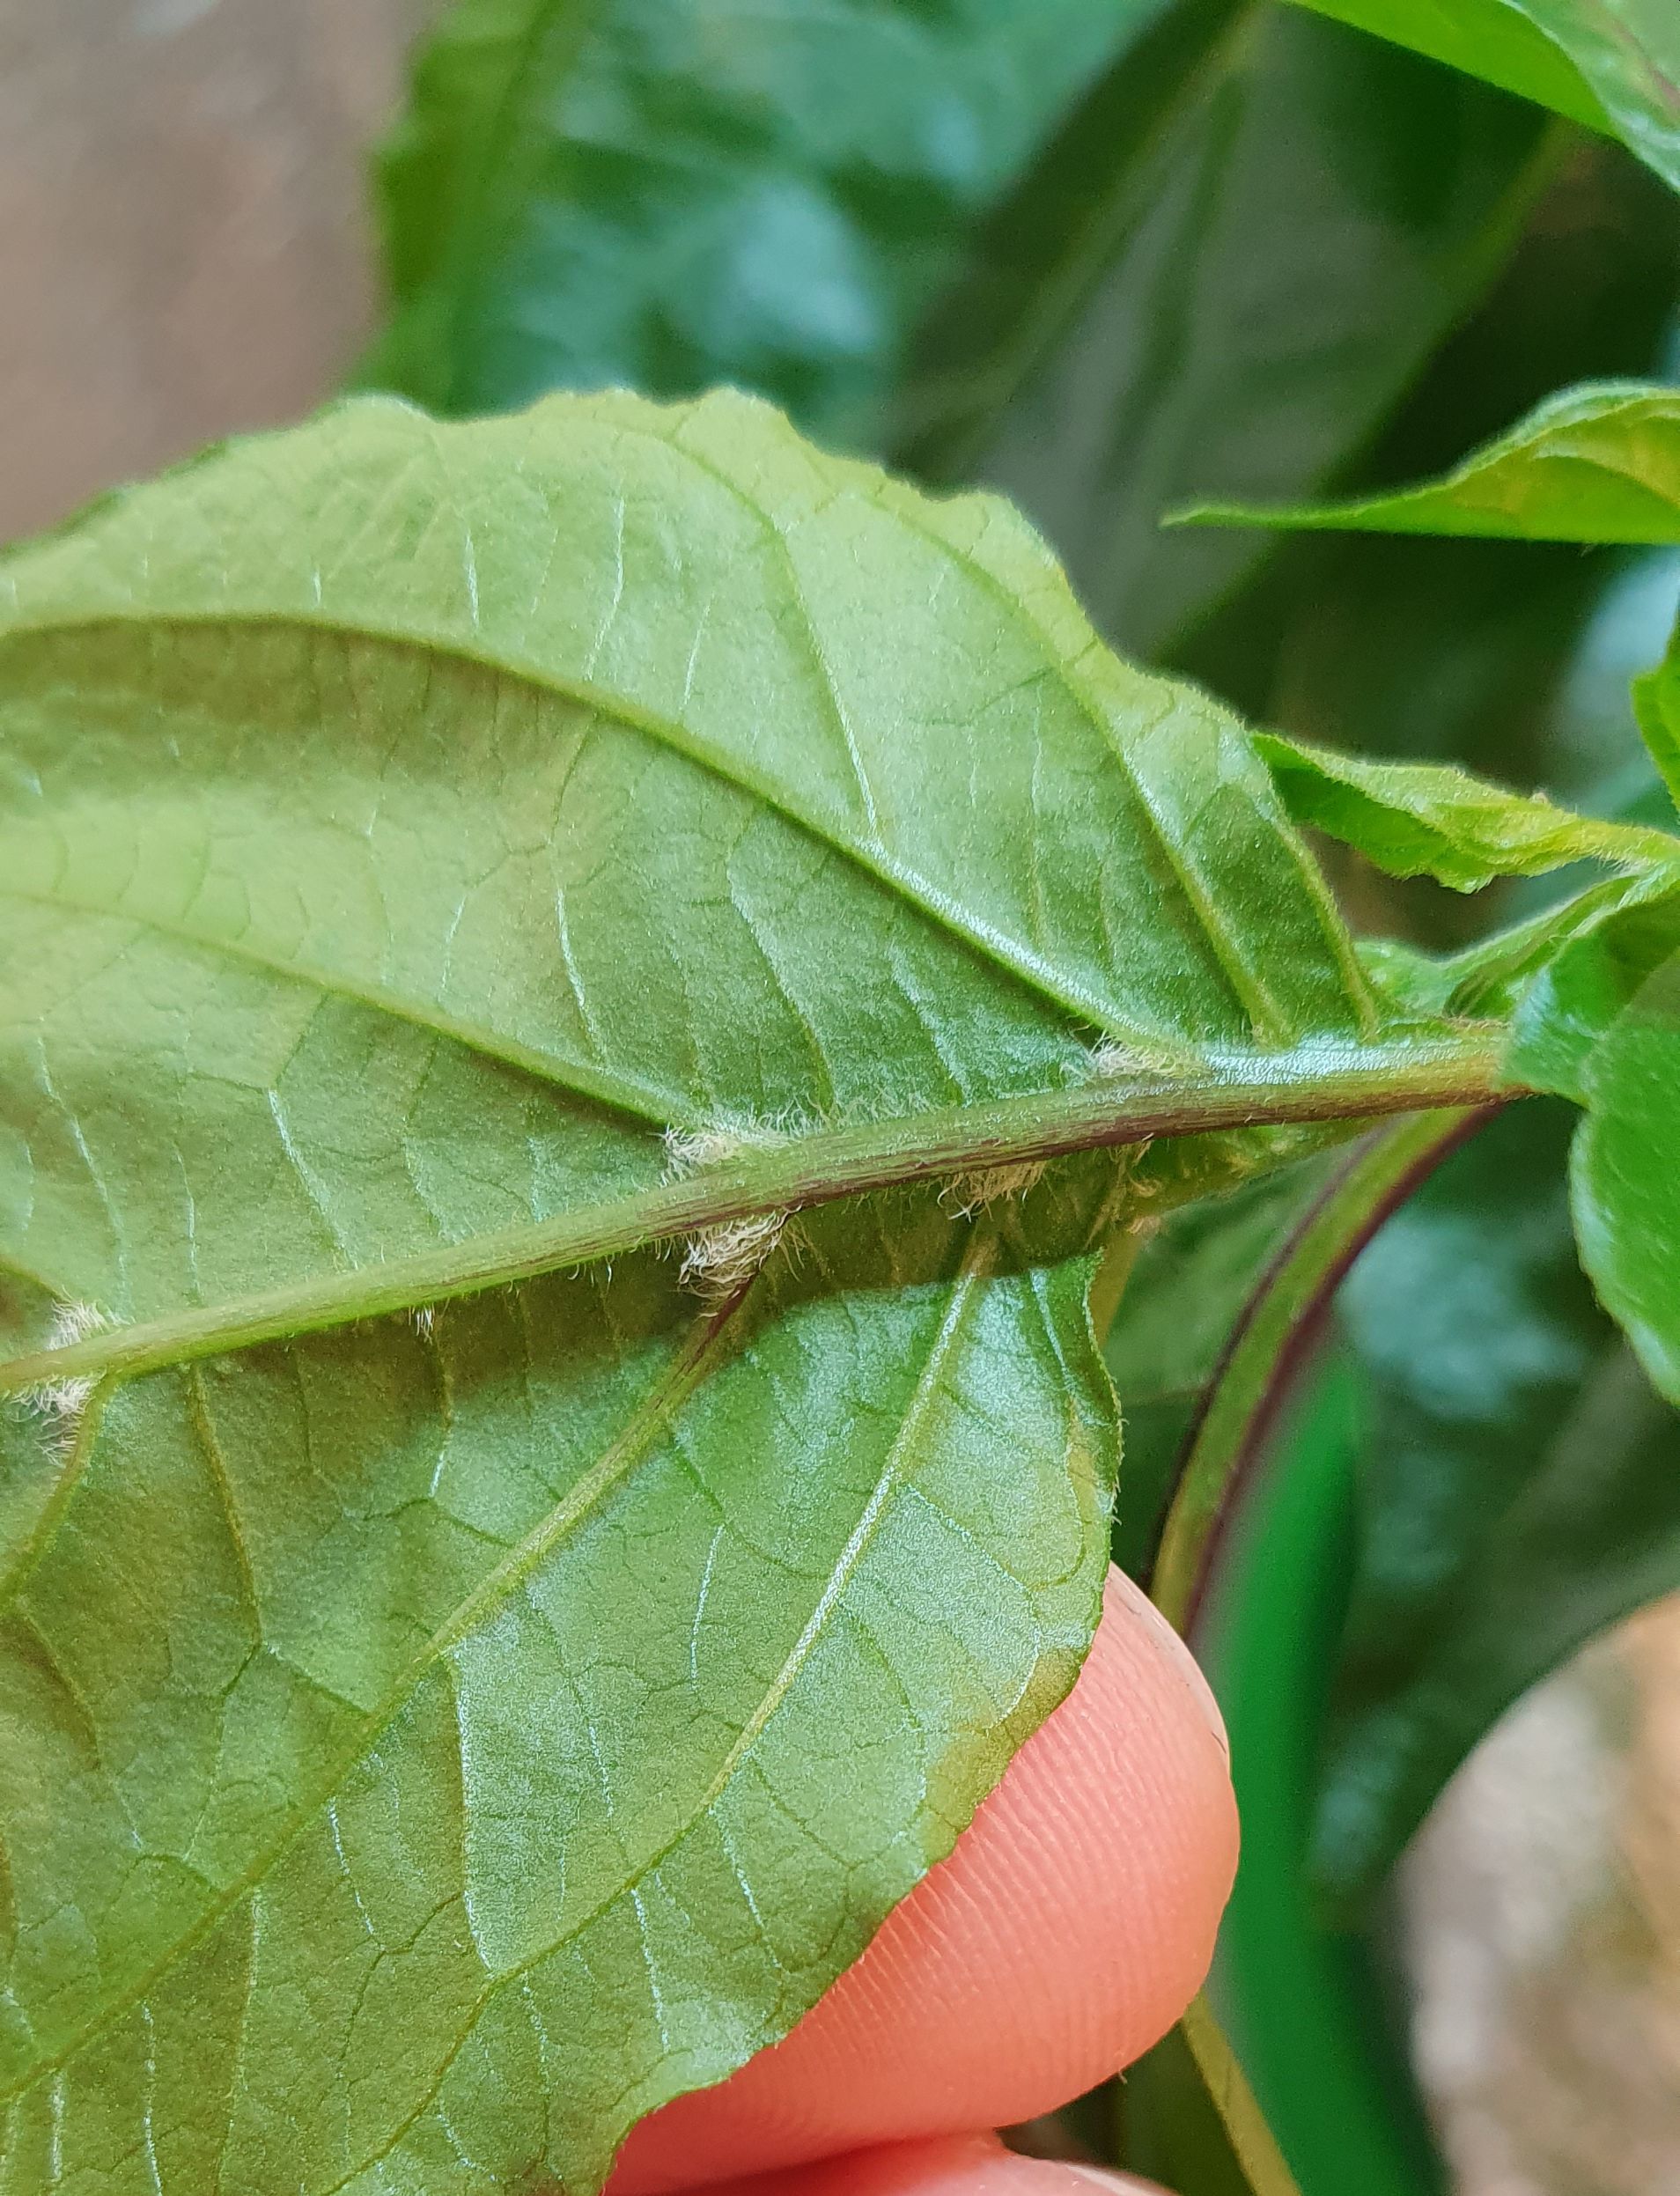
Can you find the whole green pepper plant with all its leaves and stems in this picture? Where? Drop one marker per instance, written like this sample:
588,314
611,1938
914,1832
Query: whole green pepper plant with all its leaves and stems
609,1009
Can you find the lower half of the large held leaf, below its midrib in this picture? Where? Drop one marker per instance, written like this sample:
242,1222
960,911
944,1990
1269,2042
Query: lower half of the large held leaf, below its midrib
482,1690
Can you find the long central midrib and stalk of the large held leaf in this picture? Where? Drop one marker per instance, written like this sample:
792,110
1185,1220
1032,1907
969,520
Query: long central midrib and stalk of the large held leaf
1308,1086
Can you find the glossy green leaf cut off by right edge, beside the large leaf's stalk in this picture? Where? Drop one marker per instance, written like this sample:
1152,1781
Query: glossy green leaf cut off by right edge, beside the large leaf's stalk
1624,1180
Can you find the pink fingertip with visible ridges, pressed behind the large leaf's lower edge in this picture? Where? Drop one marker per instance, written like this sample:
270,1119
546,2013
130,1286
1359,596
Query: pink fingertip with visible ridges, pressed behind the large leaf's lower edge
1062,1938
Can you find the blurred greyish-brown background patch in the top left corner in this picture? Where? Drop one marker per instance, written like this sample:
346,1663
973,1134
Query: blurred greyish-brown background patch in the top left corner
183,240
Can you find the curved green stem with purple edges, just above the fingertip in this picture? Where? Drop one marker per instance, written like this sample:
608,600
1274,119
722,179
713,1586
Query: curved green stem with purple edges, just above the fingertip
1277,1321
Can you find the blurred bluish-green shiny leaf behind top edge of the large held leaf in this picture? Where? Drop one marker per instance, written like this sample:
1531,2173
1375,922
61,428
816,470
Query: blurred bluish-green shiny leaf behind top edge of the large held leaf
699,192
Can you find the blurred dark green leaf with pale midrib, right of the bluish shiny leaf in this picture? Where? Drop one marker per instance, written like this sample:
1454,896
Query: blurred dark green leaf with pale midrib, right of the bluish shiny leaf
1312,219
